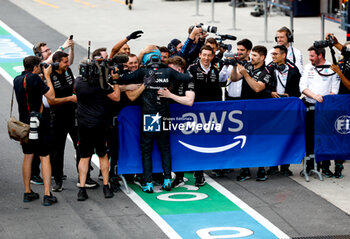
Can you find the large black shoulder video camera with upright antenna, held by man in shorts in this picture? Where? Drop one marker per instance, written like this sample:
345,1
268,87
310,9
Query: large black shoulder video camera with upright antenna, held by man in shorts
99,70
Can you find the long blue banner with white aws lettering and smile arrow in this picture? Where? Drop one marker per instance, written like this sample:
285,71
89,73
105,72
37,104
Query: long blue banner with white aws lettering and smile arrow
218,135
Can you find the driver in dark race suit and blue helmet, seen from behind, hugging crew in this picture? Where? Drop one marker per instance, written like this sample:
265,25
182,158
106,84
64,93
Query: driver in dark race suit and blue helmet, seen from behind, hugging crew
155,76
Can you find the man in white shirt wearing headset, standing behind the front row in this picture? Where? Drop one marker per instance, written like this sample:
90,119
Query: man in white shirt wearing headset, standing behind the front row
284,37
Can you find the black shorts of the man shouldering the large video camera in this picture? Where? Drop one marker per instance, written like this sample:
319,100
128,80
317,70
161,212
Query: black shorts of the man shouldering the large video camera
92,140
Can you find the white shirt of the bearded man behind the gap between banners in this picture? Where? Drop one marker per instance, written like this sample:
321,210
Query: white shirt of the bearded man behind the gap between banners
318,84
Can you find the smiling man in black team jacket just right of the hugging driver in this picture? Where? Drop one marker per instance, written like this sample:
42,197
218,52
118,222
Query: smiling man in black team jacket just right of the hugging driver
207,86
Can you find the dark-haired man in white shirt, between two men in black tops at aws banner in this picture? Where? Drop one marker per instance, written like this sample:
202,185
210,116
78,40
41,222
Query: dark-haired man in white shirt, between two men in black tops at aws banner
234,89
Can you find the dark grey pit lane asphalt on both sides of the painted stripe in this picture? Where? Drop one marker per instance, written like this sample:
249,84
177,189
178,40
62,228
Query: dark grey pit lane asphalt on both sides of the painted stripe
293,208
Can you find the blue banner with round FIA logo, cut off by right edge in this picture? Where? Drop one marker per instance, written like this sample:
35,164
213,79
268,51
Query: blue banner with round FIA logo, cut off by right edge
332,128
